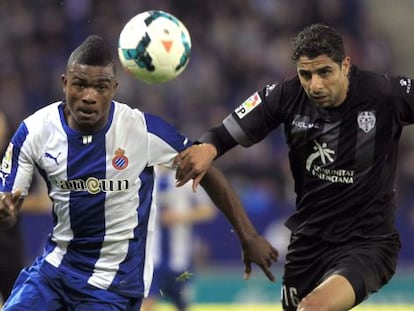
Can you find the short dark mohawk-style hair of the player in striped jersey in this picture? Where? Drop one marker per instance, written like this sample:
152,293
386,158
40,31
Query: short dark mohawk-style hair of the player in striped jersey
93,52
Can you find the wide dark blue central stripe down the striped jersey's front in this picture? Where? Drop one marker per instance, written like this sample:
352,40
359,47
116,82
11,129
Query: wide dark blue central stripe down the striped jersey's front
86,162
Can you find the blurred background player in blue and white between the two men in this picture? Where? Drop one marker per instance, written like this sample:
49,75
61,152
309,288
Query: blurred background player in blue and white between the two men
179,209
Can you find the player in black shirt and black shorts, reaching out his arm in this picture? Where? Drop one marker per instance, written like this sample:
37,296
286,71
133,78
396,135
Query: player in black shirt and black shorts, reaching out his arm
342,126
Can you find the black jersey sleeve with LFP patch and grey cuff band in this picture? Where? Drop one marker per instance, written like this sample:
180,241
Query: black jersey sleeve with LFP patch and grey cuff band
256,117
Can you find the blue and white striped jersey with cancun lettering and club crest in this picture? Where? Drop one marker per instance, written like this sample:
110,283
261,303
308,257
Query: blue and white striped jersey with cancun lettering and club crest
102,188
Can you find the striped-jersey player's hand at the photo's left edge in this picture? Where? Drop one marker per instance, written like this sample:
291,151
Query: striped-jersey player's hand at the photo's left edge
9,206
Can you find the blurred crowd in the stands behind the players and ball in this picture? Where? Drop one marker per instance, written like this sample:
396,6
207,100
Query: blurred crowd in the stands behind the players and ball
238,46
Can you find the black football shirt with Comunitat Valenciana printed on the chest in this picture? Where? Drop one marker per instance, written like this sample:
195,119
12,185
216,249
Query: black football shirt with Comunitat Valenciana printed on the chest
343,160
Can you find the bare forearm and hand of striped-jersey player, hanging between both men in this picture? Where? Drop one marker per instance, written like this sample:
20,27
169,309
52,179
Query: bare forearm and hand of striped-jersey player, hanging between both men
256,249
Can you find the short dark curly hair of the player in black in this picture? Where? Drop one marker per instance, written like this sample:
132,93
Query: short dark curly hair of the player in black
318,39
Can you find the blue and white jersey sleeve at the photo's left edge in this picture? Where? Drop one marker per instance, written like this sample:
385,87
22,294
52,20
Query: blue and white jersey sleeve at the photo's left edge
18,165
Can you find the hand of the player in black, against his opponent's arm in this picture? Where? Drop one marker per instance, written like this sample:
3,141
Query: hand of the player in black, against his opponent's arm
193,163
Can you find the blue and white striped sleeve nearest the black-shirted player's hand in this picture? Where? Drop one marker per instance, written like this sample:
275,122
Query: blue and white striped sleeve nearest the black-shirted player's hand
165,142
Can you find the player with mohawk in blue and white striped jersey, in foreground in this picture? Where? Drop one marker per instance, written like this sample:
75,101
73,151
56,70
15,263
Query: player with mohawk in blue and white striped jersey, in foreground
97,157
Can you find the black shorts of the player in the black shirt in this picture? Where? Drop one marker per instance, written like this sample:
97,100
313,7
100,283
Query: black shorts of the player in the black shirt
367,263
